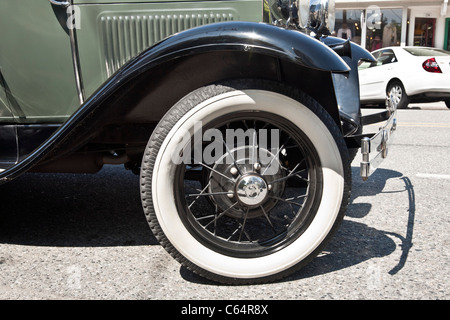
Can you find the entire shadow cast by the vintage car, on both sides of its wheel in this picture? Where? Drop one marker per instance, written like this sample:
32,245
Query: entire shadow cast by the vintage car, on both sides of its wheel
105,210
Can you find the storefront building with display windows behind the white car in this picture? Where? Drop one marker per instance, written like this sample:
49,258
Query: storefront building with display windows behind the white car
383,23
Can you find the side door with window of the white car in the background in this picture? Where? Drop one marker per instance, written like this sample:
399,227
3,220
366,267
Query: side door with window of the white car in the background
374,77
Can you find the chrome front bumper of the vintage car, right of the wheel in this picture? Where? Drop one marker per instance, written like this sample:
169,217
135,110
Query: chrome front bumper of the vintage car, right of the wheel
375,149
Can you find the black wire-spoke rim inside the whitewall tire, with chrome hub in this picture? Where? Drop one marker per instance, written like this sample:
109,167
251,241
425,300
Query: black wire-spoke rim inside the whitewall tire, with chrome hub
247,207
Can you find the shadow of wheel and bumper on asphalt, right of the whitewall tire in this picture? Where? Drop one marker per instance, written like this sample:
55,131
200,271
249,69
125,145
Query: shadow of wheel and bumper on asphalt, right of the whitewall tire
355,242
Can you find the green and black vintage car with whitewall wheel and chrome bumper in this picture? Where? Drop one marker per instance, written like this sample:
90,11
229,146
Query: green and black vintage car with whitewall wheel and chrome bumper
241,118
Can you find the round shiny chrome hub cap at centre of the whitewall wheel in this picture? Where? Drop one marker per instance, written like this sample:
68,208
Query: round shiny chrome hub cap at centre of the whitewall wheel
251,190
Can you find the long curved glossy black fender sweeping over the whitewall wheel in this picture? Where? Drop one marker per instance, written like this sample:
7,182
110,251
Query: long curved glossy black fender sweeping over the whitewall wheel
131,94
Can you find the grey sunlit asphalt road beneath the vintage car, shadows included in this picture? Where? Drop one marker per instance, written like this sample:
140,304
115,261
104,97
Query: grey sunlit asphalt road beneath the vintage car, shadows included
66,236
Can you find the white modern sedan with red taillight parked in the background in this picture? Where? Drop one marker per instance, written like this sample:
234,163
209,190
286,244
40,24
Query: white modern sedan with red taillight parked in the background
406,74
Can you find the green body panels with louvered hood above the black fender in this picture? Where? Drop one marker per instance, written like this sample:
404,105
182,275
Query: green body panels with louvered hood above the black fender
35,51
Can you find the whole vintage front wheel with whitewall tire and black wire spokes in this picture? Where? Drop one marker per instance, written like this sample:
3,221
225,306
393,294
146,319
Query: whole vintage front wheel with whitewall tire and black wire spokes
225,230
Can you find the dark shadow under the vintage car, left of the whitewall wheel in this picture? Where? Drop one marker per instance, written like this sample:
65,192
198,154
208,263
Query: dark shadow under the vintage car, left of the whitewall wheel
75,210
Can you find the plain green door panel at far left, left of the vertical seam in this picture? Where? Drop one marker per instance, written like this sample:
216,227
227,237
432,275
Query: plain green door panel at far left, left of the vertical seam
36,63
